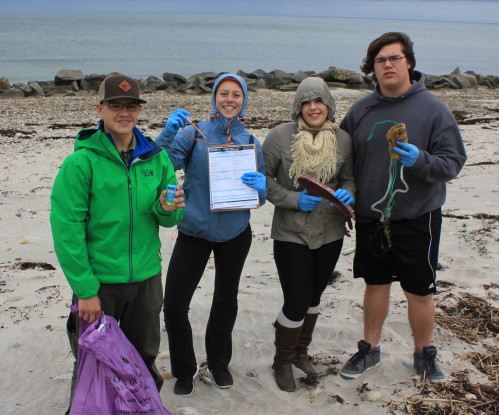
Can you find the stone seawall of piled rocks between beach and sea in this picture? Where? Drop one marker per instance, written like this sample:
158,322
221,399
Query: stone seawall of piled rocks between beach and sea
71,82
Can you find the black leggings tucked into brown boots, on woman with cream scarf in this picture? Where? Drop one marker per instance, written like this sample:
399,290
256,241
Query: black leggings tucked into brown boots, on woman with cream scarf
304,274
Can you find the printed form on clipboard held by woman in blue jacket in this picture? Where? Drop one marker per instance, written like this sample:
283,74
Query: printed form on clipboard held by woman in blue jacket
226,166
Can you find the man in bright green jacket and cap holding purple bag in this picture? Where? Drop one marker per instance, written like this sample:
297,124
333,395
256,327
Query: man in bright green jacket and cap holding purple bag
108,202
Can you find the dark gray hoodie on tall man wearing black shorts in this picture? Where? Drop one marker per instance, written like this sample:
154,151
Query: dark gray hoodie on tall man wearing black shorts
430,126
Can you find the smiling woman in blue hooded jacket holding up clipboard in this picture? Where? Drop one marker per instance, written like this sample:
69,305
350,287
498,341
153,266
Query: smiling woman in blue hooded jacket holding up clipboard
225,233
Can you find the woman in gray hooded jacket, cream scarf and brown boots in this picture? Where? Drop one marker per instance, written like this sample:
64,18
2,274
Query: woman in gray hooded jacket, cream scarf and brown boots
307,230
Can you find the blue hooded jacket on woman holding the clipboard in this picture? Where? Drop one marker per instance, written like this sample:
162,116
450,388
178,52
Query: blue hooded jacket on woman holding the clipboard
192,156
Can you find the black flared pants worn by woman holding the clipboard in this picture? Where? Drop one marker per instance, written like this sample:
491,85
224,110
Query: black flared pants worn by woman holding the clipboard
189,258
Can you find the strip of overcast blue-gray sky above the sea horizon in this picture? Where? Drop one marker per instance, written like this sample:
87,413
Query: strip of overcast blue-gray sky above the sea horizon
483,11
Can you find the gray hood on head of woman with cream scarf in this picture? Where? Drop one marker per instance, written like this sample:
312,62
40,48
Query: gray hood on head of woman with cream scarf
313,88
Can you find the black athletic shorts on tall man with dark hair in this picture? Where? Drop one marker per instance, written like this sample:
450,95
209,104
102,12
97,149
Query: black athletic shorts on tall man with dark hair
412,259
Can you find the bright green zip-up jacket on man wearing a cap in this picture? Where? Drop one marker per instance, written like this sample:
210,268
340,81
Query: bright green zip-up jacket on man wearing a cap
105,216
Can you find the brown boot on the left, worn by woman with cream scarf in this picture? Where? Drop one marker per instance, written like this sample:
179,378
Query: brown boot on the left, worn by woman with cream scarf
286,340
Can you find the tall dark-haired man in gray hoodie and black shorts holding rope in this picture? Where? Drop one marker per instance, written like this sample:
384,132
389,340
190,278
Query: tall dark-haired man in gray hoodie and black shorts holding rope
399,196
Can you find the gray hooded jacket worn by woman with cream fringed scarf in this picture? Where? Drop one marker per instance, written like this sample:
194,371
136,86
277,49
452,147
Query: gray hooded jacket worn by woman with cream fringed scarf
325,224
